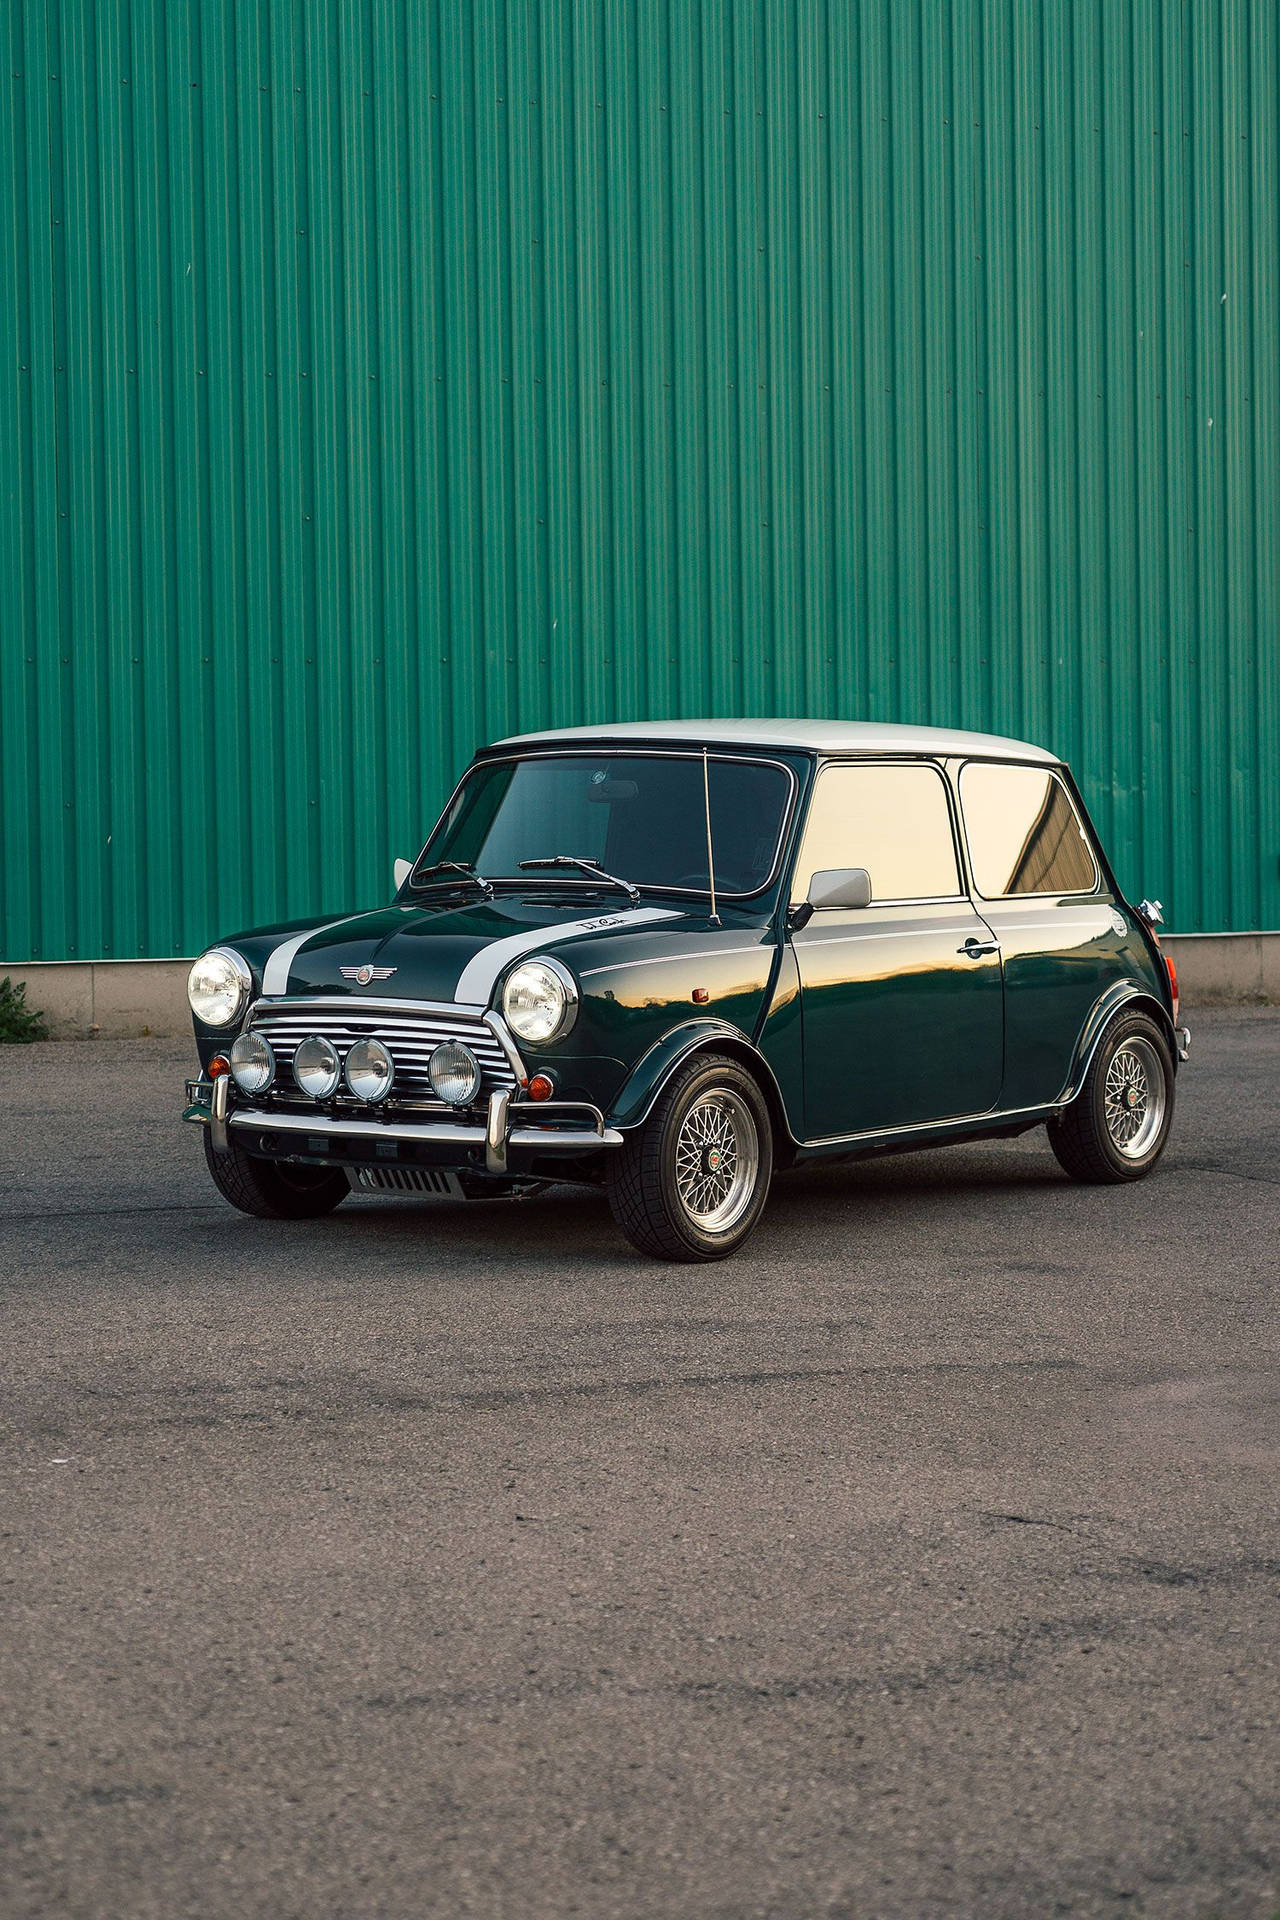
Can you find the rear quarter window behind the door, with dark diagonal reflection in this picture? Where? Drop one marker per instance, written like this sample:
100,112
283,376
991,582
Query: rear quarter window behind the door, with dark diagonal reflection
1024,832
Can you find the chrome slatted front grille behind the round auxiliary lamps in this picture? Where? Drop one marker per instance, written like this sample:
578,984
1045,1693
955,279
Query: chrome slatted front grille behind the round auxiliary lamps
408,1034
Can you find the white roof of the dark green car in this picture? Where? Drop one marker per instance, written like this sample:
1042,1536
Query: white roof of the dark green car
811,736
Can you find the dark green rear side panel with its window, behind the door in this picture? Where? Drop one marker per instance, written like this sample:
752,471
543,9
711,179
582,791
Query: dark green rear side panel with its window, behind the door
1039,888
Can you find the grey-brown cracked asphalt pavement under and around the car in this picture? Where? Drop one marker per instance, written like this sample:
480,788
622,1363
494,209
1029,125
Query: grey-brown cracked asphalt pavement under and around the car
454,1560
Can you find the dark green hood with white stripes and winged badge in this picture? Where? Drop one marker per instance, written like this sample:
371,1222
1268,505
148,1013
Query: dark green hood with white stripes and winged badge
450,953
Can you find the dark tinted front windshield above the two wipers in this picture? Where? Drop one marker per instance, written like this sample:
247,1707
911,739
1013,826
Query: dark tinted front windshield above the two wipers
640,817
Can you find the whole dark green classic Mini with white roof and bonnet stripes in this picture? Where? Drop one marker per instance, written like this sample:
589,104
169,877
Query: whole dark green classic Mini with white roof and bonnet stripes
676,957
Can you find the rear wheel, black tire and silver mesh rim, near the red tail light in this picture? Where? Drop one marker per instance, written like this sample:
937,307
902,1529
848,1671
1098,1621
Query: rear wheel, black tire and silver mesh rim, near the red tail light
1089,1134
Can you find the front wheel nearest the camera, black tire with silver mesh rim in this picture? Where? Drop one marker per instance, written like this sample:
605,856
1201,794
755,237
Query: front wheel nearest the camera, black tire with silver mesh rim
646,1172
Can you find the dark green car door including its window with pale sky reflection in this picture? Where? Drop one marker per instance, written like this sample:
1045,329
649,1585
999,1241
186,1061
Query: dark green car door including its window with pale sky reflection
901,1001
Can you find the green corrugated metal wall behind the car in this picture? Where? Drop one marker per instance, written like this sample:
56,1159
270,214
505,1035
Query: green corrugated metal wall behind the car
385,377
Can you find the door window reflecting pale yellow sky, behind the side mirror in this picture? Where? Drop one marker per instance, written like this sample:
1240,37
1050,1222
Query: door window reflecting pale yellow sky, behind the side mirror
889,819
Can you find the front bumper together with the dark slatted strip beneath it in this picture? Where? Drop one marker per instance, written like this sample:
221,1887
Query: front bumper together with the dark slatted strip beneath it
515,1132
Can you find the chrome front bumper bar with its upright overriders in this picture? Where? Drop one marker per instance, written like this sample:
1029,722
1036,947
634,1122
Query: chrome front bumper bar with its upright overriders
508,1126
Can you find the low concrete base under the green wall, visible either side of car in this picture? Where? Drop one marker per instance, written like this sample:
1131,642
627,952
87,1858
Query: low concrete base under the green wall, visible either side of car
120,999
